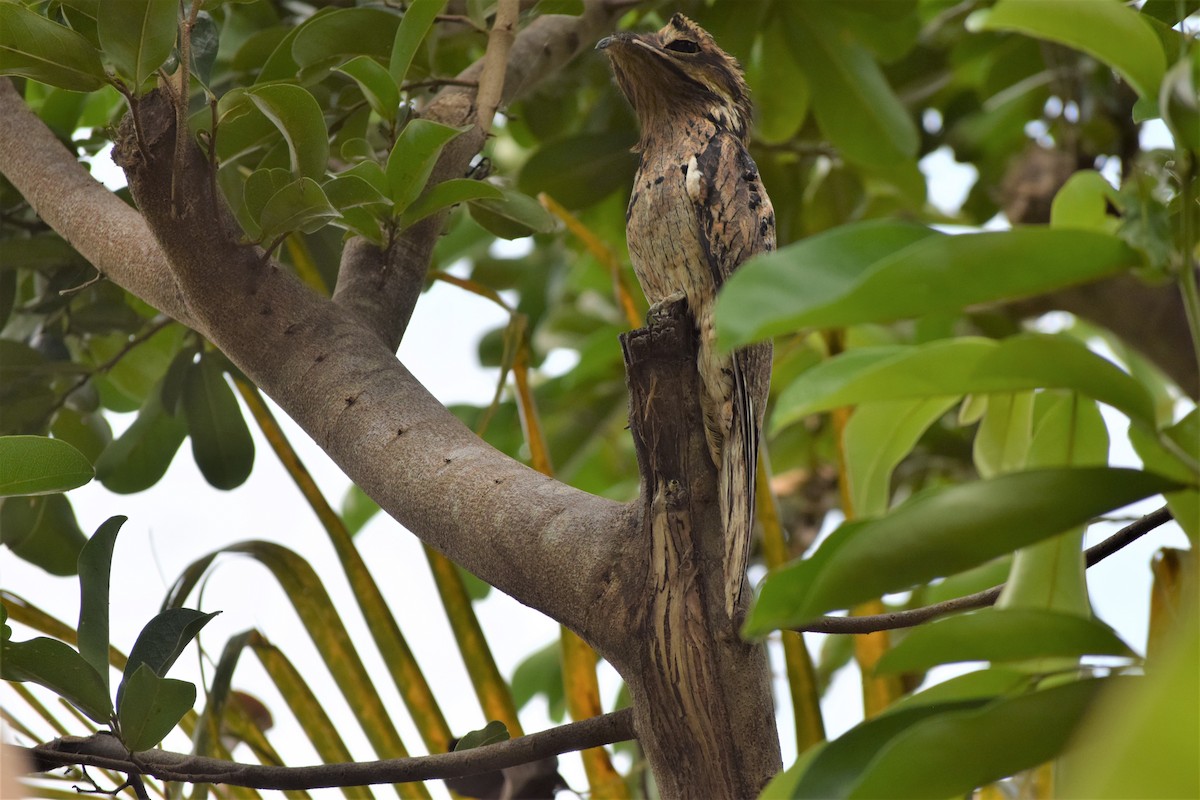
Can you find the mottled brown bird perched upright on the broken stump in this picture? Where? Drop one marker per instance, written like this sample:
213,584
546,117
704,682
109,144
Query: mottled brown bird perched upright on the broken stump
698,212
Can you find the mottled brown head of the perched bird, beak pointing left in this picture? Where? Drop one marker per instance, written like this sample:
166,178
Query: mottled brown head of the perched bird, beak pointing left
677,73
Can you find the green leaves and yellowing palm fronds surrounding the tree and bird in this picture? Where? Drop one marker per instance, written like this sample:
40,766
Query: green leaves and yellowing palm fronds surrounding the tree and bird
879,300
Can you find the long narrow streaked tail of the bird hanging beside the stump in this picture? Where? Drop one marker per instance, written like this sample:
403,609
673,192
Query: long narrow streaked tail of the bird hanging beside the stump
740,460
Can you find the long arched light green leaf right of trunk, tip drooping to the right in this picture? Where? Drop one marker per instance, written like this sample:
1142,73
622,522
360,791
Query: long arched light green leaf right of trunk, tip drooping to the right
963,366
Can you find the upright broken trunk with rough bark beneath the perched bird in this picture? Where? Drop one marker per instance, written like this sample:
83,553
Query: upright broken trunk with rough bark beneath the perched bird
701,695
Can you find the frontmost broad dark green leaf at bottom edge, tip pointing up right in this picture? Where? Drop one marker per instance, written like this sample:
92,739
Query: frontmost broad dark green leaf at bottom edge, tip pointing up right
950,755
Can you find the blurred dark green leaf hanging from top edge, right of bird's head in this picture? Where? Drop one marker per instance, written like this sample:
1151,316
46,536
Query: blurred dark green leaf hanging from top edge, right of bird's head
853,101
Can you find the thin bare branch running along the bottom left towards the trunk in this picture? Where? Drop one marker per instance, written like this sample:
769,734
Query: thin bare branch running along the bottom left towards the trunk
106,751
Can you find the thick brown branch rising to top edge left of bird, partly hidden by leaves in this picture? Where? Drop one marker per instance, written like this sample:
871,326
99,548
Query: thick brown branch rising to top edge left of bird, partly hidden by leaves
381,291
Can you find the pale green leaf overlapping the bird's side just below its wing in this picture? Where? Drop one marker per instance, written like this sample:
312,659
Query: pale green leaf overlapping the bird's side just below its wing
814,272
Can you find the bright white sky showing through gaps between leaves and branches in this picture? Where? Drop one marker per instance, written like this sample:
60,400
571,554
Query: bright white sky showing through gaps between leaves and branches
182,520
